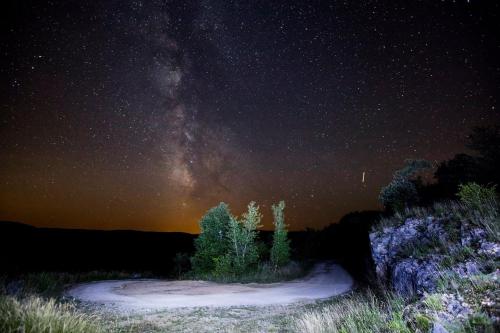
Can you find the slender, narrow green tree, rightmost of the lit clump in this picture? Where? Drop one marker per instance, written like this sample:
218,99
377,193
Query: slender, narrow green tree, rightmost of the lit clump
280,252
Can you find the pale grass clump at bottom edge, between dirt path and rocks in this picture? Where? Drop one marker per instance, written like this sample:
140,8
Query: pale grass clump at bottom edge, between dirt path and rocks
362,313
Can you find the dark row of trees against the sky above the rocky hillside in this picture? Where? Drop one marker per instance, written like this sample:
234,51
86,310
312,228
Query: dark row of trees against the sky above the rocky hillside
407,187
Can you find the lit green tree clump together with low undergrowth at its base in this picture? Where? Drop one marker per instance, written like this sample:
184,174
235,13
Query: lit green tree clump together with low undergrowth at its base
239,255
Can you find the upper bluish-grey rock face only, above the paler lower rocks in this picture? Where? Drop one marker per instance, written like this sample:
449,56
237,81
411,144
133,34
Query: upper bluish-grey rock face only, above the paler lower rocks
410,257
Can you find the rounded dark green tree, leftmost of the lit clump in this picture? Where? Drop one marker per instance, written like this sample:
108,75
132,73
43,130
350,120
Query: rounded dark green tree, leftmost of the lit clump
212,241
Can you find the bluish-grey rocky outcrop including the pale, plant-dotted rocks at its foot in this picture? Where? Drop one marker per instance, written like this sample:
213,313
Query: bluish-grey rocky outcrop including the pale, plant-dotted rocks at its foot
414,256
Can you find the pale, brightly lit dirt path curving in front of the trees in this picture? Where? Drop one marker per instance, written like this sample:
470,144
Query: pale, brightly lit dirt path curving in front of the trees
324,281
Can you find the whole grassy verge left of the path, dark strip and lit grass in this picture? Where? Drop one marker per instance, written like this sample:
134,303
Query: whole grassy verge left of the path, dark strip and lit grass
33,303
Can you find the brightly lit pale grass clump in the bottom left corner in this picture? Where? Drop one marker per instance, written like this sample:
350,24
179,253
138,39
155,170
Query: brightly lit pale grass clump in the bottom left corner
37,315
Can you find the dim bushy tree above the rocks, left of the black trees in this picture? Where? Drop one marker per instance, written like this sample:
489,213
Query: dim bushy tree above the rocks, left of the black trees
402,192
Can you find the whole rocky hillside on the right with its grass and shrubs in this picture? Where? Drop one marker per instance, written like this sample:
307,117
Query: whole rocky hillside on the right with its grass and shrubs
445,261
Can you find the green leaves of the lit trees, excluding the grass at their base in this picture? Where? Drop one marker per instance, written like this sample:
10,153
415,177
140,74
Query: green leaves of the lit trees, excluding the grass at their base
228,245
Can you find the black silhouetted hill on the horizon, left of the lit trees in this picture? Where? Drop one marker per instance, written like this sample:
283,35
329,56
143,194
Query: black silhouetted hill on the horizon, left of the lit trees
27,248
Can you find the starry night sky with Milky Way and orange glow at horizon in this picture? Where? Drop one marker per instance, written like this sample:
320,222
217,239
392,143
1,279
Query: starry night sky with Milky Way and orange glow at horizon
144,114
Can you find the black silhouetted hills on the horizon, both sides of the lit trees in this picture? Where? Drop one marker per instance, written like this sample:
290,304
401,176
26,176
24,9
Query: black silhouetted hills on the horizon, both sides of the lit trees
24,248
